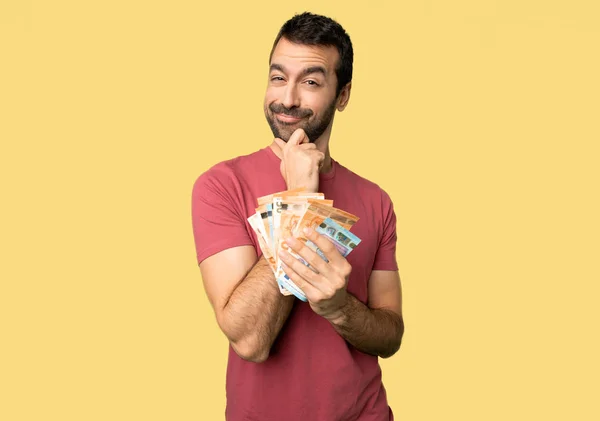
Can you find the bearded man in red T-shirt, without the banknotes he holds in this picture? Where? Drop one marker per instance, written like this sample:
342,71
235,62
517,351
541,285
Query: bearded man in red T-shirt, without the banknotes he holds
291,360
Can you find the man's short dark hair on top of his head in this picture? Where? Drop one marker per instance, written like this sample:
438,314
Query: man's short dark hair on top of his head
310,29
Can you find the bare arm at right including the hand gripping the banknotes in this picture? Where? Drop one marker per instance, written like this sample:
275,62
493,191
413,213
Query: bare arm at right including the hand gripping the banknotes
375,329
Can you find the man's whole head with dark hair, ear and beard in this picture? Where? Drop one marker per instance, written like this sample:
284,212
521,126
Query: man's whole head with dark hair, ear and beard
310,73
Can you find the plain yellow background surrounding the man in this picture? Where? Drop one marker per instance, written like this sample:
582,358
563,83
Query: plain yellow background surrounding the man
479,117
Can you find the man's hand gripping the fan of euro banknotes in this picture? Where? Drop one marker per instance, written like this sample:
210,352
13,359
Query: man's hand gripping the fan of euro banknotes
325,284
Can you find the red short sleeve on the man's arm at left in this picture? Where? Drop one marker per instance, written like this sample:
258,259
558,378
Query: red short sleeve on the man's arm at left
216,219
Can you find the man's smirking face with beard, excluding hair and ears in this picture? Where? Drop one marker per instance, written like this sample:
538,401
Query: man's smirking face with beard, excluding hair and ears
301,89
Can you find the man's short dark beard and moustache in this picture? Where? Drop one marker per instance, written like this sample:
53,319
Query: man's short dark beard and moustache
313,129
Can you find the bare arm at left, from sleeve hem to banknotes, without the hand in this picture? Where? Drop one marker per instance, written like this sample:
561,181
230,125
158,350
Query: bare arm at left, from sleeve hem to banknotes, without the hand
248,306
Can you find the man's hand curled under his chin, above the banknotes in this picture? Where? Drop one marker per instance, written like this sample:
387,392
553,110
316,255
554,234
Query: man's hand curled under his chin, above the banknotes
301,161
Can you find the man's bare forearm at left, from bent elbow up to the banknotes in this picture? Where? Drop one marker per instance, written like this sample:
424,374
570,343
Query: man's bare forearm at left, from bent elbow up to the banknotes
255,313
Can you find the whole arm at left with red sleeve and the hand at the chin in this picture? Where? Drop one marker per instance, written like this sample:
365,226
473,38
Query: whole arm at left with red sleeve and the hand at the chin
249,308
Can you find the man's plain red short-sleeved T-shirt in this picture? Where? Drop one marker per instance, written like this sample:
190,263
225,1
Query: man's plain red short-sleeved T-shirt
312,373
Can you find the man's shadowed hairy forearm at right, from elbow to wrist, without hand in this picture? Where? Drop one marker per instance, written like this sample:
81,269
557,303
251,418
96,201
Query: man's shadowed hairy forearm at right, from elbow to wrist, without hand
372,331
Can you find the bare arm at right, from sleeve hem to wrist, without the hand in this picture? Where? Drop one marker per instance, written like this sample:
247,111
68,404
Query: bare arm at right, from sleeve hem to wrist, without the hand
376,329
